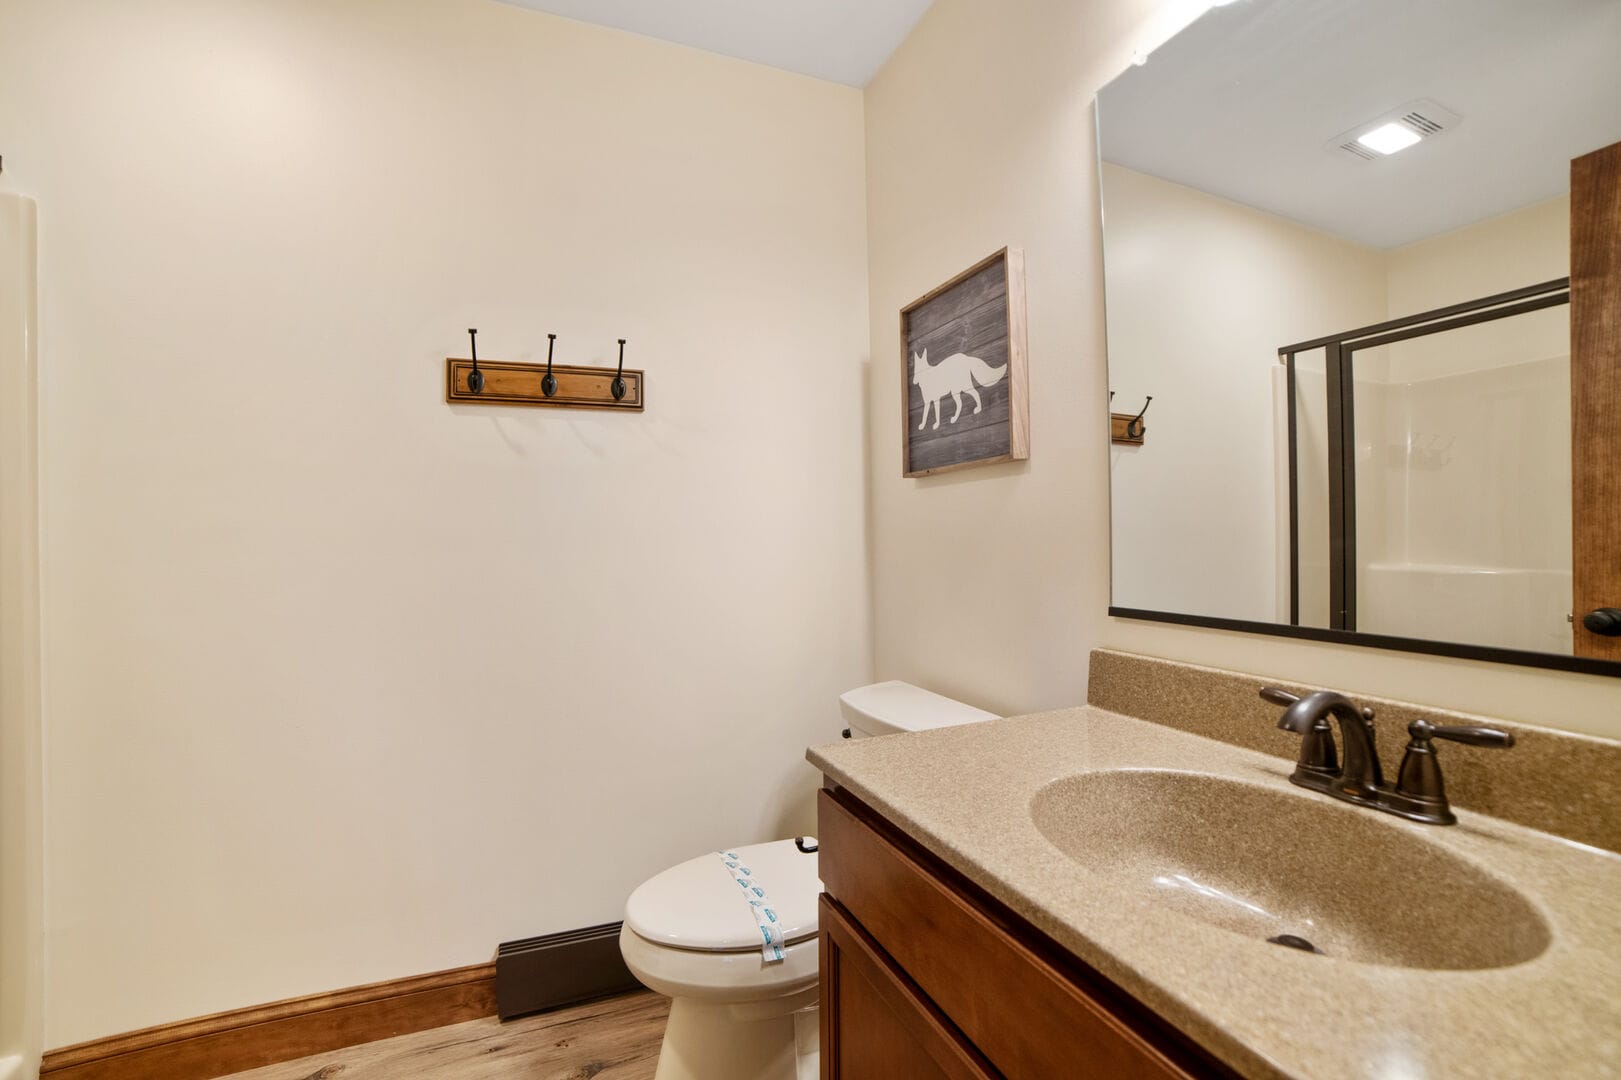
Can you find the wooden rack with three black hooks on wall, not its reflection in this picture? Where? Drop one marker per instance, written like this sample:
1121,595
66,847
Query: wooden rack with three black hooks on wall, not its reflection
477,382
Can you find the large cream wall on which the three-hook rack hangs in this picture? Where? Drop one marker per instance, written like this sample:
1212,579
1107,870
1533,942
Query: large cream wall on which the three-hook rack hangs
344,684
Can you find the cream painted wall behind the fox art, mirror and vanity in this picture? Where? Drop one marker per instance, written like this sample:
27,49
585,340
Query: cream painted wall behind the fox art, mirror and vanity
993,583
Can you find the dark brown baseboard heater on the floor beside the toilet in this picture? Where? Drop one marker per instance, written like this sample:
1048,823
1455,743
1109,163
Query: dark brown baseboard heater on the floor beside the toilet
558,971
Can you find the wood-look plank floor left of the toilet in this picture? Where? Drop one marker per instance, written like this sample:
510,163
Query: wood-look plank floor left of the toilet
607,1040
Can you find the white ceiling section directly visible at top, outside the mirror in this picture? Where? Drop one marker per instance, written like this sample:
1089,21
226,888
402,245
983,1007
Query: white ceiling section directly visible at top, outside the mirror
844,41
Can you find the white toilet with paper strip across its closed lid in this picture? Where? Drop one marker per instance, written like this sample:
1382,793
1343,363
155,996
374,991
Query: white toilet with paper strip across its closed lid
693,935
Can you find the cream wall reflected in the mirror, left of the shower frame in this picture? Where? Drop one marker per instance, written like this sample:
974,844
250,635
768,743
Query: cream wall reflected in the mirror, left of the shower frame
1202,294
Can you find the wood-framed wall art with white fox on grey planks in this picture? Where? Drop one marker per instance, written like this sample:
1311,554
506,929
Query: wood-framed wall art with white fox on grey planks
964,382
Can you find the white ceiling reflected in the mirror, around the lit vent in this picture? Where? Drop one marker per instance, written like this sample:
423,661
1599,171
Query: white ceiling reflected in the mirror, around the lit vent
1242,103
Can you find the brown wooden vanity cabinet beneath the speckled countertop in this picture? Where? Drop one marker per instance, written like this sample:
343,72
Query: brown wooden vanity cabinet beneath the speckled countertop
926,975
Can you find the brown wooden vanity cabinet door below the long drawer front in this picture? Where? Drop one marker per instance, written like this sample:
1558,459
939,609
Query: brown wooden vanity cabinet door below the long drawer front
875,1022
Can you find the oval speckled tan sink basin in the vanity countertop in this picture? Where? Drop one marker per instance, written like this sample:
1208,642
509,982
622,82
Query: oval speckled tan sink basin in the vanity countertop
1288,868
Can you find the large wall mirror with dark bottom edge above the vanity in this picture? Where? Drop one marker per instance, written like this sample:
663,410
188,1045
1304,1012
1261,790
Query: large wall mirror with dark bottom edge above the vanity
1387,385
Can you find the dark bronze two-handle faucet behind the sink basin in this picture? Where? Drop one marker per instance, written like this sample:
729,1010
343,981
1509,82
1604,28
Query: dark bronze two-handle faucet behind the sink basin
1419,792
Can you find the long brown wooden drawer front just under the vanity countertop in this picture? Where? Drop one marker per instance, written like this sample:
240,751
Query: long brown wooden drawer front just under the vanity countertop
1030,1013
